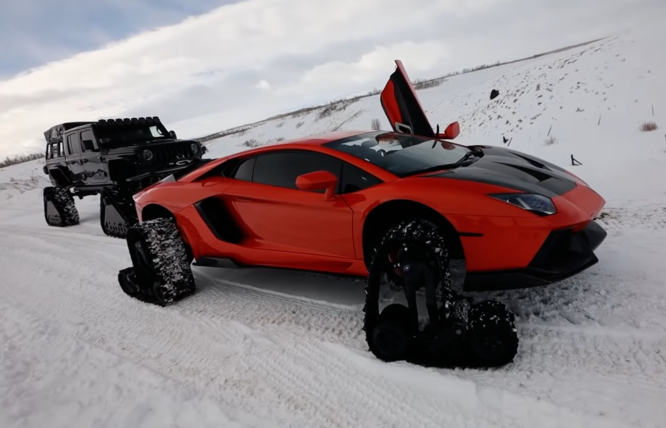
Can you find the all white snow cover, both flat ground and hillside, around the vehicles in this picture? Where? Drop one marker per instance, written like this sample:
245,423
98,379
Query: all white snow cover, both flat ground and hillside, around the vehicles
261,347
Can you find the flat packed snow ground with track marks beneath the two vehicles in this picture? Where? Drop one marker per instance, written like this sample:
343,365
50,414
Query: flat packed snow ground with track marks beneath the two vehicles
593,349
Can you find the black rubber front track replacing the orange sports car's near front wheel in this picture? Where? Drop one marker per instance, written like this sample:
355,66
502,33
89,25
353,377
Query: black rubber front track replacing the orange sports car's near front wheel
463,334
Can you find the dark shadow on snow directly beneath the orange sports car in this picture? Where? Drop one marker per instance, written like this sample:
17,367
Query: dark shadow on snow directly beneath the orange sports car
565,302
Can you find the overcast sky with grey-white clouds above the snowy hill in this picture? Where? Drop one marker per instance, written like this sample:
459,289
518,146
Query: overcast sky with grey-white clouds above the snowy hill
207,65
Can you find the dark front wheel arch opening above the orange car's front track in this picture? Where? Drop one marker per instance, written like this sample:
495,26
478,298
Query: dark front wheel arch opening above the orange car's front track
387,215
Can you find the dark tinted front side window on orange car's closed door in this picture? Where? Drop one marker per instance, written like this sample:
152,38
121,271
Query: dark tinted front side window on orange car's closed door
282,169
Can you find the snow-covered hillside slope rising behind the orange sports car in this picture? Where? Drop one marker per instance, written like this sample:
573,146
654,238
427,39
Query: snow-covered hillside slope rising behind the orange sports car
592,100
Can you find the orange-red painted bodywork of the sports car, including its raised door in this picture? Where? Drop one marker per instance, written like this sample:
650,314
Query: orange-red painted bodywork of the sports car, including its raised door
299,229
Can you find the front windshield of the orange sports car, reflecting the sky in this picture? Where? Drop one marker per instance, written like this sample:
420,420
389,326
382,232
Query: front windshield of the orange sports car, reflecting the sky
401,154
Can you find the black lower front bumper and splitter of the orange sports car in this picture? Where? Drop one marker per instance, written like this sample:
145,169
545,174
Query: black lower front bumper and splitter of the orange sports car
563,254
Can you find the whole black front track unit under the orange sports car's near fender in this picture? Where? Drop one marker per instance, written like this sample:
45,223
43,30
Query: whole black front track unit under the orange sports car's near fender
423,320
